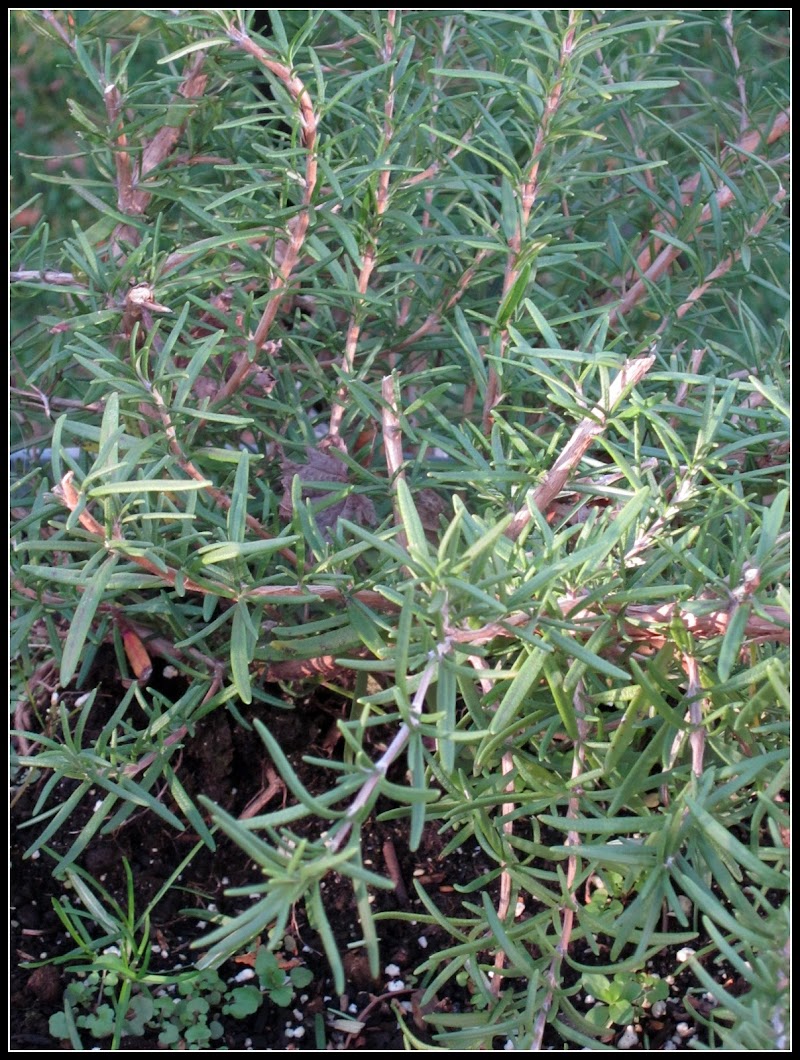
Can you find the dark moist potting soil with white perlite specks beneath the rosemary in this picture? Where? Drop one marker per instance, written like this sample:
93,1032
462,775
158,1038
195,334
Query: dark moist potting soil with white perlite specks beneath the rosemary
228,765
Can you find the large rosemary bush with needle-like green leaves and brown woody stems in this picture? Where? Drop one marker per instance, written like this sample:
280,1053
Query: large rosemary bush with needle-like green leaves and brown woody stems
440,359
